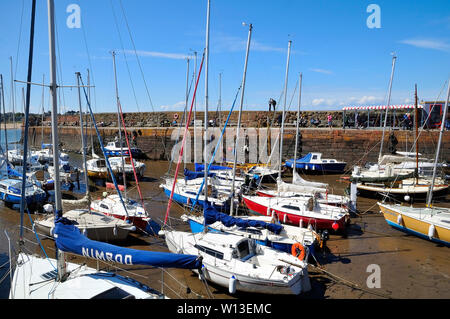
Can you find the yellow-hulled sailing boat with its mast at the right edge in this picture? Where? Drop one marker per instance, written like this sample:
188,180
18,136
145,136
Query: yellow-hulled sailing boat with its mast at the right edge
432,223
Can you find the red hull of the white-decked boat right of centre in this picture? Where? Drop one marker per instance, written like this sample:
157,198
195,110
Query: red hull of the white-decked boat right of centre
295,219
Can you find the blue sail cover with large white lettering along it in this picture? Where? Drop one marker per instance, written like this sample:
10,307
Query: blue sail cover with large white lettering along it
68,238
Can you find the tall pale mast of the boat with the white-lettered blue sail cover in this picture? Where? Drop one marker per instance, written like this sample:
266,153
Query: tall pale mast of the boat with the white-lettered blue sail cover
61,267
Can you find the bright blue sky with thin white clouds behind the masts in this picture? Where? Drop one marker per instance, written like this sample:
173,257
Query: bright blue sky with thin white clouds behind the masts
342,60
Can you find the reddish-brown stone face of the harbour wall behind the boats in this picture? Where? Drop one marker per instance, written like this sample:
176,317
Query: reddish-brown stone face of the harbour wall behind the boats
350,145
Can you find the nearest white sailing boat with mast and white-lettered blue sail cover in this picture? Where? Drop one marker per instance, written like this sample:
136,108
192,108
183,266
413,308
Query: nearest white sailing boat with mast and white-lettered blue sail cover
40,278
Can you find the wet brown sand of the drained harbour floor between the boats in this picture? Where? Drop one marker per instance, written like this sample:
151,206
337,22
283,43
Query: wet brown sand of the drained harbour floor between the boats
410,267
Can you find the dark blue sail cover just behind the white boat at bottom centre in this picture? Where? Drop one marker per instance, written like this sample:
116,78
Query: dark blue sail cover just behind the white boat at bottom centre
211,215
